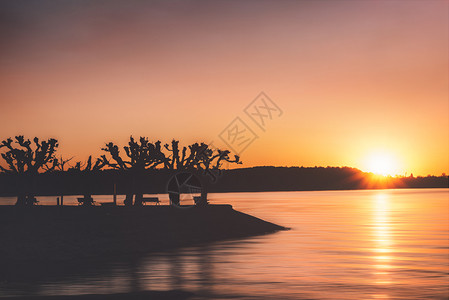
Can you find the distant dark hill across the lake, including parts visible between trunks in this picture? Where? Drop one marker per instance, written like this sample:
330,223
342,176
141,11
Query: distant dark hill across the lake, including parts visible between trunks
235,180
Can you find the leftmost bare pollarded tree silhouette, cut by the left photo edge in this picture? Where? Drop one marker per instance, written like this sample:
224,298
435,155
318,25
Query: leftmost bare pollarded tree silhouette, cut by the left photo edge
25,159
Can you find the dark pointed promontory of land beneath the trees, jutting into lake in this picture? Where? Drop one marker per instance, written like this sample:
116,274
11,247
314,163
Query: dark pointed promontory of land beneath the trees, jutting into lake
59,233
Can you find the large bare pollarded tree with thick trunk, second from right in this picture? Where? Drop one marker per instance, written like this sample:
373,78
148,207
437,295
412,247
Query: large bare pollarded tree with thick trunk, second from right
140,156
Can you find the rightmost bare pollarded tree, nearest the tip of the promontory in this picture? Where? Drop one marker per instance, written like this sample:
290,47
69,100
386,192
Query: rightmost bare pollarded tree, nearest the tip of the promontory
198,158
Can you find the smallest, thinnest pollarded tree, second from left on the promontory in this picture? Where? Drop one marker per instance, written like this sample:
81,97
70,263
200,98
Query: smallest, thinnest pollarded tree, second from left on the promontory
87,170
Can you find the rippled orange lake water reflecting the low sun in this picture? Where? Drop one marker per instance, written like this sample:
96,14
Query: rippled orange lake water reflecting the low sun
369,244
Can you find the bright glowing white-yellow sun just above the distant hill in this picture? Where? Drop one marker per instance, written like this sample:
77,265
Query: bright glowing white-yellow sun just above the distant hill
382,163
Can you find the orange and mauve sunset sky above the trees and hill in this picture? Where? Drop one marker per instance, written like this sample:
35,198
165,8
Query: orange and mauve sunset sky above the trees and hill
354,79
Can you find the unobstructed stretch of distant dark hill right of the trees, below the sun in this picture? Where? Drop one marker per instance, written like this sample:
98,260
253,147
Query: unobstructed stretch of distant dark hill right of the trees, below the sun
317,178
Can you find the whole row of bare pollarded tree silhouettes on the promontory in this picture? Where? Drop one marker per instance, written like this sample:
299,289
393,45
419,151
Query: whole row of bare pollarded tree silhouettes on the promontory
27,162
